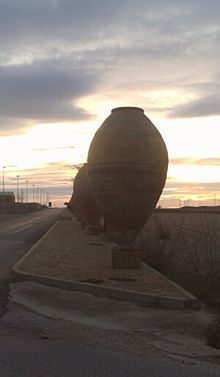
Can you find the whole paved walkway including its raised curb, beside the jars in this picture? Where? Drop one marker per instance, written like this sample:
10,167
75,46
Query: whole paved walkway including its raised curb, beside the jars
67,257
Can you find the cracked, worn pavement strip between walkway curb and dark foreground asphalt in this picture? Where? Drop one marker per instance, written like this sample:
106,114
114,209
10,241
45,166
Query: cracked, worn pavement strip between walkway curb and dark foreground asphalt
74,316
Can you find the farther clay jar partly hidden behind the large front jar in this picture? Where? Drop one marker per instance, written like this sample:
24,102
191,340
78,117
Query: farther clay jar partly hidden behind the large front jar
83,198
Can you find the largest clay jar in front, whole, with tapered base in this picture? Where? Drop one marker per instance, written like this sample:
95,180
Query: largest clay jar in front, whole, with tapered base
127,163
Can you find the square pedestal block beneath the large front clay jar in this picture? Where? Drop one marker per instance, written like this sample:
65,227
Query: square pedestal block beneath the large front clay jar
126,258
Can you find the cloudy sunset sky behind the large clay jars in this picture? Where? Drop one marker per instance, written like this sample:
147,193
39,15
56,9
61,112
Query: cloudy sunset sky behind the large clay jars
64,64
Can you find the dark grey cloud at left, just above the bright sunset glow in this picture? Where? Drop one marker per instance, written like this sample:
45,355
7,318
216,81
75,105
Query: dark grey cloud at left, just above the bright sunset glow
44,91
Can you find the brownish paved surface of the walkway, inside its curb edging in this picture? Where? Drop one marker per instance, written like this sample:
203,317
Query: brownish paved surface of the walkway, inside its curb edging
68,253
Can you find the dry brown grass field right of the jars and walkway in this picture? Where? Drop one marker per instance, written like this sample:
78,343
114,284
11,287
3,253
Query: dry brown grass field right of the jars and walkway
186,247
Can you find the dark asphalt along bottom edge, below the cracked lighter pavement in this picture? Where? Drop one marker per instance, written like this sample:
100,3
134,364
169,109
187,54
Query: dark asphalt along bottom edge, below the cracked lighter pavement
20,357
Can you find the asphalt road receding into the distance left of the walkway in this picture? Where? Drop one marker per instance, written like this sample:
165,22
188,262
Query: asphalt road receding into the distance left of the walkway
19,232
